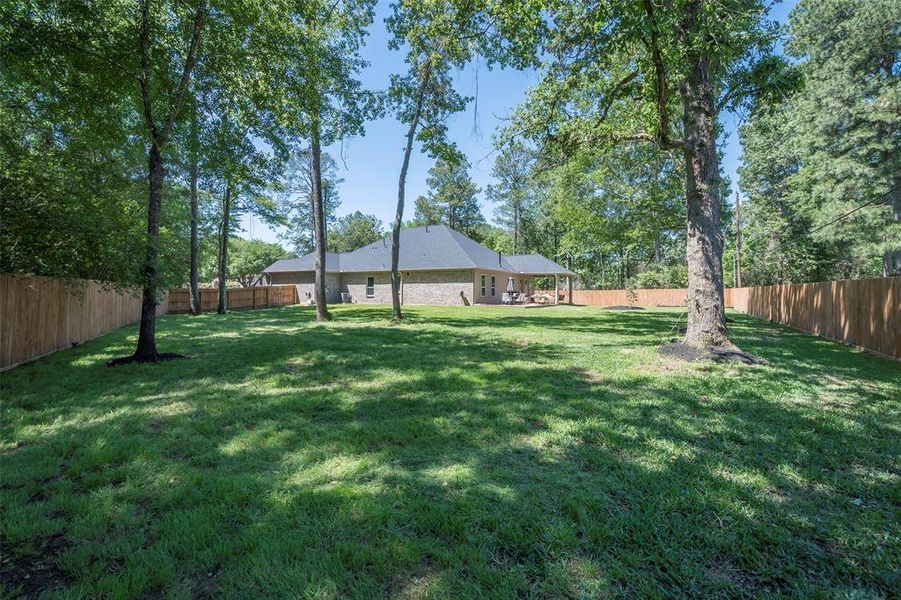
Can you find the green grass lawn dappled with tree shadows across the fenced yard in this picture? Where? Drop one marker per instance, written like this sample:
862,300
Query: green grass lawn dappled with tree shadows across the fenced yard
468,452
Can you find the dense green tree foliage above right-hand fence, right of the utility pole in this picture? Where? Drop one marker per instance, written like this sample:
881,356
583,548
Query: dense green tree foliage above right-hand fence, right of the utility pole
825,144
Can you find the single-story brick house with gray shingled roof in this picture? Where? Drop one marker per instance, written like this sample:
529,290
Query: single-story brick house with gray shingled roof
437,264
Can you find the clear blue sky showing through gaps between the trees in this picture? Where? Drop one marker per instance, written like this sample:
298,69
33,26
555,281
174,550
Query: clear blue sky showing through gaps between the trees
373,161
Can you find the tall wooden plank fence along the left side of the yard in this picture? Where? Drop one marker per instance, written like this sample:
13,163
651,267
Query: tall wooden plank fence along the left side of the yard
39,315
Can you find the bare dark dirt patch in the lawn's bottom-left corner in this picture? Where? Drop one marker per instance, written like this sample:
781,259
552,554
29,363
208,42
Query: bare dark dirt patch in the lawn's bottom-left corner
32,567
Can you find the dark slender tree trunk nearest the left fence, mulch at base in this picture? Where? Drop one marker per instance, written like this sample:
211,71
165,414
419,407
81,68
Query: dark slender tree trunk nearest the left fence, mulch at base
147,331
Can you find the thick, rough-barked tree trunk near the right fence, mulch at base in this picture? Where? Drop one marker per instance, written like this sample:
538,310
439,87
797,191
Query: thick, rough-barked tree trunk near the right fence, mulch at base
704,250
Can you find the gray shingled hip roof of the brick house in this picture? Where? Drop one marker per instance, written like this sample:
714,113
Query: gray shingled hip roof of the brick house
424,248
